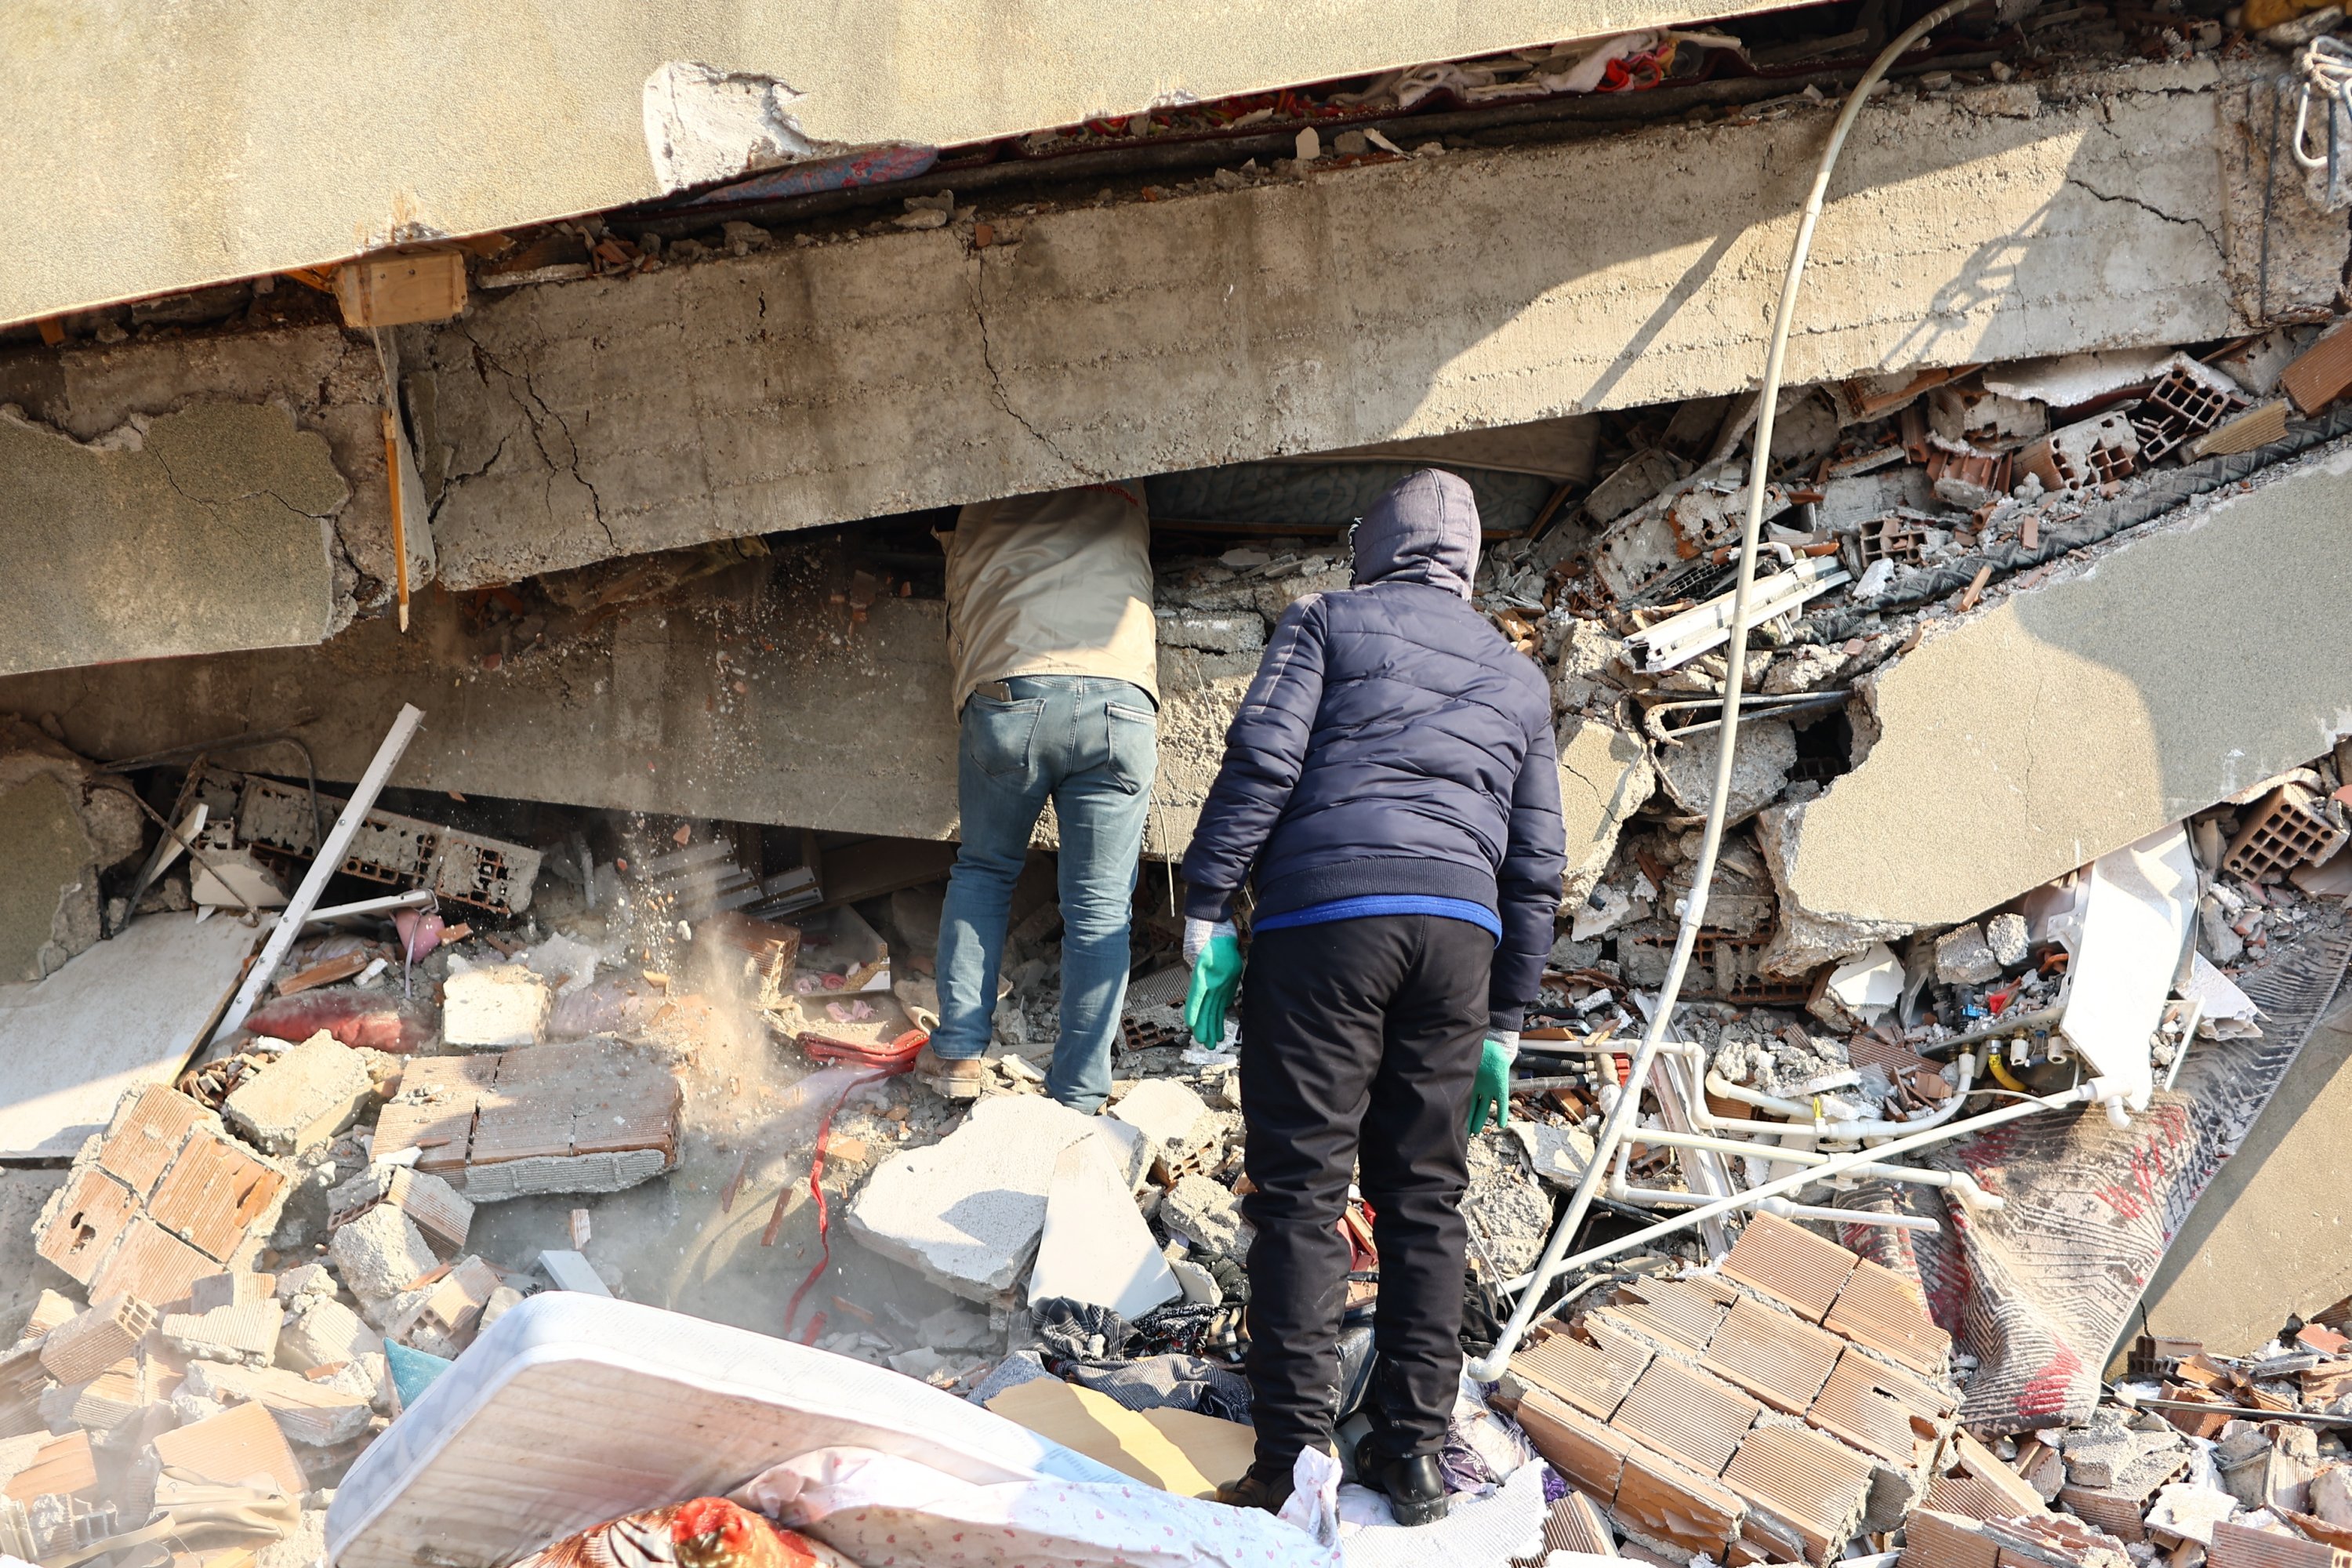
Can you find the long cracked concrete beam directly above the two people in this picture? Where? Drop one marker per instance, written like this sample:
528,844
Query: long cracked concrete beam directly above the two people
817,384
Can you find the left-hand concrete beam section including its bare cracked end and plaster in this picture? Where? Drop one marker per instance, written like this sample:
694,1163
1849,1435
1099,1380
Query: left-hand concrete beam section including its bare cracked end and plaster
187,565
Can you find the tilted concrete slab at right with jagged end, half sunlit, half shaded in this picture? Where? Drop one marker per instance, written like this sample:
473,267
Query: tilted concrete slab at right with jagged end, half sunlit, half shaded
2083,713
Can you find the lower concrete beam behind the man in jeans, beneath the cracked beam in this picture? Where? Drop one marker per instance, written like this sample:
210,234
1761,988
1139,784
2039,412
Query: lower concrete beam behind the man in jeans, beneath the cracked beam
759,702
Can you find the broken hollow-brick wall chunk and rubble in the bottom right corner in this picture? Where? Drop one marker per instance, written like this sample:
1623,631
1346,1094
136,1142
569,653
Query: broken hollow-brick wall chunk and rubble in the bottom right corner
1796,1405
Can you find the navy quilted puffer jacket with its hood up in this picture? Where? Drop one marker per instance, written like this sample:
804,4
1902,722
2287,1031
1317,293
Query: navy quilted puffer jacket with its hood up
1396,744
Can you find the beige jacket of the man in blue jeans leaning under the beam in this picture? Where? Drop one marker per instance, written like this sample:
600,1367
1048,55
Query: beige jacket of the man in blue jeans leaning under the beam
1055,584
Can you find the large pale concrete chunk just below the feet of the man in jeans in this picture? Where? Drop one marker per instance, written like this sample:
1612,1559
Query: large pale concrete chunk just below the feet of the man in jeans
968,1212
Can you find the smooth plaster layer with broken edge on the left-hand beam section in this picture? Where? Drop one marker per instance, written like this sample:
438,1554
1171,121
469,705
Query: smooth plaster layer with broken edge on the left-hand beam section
194,532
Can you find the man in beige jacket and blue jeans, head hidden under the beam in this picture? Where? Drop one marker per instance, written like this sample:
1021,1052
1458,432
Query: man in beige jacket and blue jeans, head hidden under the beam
1057,685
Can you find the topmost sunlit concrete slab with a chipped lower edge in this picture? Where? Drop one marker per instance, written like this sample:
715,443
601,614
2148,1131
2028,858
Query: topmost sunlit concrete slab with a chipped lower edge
218,140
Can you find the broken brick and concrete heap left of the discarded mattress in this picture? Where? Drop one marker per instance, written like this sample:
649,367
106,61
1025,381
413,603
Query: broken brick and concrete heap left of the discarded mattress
272,1259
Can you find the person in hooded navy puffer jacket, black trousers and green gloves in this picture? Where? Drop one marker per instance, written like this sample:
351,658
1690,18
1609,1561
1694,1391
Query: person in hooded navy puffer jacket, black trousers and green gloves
1391,789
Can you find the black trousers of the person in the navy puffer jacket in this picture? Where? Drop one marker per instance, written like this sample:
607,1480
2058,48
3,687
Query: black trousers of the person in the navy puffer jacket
1361,1043
